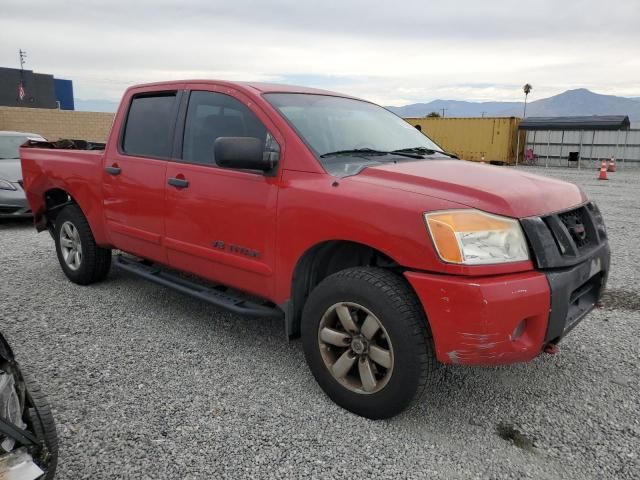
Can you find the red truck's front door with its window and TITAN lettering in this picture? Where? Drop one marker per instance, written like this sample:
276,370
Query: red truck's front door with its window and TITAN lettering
220,222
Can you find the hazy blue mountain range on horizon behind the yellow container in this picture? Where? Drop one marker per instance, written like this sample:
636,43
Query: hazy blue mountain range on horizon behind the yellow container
572,102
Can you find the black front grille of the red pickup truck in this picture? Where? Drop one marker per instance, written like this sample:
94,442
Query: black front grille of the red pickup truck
564,239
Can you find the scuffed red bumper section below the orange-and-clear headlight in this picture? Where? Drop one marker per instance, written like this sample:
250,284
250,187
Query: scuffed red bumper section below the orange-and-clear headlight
473,318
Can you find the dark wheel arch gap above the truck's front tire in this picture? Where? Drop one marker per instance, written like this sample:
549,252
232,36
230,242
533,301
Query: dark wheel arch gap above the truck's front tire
324,259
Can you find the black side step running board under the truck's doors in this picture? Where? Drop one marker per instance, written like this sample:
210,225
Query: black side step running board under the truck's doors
225,300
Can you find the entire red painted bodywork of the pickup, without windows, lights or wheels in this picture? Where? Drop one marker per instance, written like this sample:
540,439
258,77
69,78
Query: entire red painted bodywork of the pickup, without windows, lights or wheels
473,310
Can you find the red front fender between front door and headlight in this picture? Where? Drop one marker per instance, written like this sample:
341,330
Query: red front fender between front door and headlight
311,210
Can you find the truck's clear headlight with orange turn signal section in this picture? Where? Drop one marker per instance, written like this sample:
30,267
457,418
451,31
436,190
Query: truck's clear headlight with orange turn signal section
472,237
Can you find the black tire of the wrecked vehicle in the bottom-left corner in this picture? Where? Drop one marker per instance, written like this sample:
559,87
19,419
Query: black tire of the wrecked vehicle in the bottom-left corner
40,420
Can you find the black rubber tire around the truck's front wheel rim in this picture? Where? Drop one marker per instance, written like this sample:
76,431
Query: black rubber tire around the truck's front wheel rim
390,298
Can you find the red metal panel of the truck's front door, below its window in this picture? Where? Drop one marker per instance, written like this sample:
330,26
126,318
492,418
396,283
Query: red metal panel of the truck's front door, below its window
238,208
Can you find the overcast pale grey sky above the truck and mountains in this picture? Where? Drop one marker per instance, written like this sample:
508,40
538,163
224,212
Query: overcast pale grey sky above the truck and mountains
391,52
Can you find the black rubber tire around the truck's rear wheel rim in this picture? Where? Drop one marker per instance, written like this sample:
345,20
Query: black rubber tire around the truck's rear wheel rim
96,261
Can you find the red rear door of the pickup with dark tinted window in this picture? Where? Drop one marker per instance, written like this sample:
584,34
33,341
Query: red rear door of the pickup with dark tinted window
134,174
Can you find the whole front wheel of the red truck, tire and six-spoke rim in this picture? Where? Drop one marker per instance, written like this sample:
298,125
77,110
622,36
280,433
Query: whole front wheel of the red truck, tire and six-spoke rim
367,341
